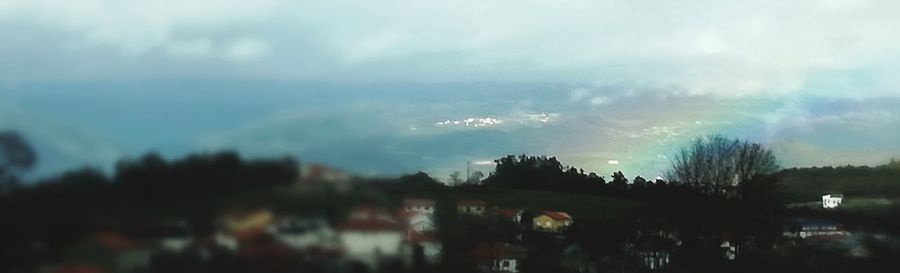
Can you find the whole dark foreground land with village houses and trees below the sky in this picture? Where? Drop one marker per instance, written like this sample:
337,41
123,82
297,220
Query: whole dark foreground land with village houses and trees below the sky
221,213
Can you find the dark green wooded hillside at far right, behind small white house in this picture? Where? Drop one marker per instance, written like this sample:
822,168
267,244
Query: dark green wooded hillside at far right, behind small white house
805,184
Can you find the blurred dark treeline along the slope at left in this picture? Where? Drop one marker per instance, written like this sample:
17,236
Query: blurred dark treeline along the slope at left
65,208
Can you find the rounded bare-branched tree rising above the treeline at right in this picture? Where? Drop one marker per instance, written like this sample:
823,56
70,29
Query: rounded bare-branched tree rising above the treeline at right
717,163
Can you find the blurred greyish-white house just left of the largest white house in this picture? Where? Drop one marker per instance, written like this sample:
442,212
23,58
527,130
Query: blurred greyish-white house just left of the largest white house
305,234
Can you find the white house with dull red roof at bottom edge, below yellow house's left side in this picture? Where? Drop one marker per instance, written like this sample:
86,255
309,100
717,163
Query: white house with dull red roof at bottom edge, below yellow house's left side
498,257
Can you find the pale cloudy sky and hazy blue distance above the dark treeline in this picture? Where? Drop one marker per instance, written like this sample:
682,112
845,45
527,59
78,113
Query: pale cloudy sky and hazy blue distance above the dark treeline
388,87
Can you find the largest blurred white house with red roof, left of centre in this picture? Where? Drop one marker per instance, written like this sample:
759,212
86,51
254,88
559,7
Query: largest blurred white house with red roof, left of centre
371,237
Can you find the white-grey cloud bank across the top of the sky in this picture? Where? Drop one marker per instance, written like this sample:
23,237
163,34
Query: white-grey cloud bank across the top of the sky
763,48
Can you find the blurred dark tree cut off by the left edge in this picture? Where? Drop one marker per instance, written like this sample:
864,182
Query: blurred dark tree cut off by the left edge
16,156
